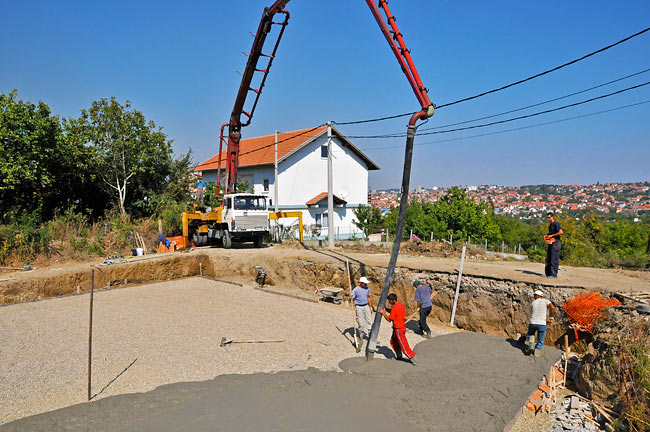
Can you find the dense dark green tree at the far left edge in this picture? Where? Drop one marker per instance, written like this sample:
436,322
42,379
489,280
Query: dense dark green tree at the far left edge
41,170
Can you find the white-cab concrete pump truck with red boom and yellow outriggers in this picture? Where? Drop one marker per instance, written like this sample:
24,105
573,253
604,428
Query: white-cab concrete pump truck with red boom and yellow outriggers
245,217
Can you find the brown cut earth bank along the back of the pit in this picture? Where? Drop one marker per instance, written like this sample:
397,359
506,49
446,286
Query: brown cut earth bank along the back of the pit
490,305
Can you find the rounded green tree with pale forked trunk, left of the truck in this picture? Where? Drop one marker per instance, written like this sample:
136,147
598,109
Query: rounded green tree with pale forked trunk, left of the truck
130,151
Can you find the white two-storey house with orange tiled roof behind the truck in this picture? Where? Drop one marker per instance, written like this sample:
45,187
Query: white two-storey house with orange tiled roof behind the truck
302,176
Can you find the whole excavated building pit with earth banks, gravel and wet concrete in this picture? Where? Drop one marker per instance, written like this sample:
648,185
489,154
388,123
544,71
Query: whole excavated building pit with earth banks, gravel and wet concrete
159,323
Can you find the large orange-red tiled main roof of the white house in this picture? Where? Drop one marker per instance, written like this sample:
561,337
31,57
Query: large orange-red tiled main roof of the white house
261,150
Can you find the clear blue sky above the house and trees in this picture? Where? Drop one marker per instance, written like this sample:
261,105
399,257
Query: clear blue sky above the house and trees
177,62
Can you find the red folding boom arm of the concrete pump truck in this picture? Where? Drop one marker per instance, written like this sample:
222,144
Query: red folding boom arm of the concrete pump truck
393,37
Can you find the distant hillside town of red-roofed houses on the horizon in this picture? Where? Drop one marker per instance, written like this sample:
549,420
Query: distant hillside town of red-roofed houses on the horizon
532,201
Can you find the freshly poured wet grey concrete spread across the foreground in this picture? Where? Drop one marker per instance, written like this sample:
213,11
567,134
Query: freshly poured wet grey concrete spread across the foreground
463,382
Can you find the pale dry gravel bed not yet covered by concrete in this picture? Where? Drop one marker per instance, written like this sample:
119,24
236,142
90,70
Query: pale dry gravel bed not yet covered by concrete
163,333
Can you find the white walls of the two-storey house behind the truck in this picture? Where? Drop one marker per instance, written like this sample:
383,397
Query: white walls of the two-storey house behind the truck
303,175
